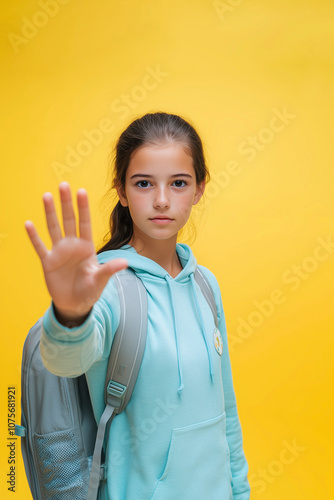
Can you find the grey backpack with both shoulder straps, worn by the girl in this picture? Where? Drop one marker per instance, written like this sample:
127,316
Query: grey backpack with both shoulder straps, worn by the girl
62,446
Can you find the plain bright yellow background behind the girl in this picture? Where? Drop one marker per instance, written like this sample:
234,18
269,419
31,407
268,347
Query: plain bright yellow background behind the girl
228,69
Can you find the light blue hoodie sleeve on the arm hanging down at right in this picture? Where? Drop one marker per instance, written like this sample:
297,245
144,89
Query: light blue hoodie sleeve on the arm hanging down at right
238,462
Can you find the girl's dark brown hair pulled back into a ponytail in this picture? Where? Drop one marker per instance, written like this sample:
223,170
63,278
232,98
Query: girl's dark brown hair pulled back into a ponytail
151,129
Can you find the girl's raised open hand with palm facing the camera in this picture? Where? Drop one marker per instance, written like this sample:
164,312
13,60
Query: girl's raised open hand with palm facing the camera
73,275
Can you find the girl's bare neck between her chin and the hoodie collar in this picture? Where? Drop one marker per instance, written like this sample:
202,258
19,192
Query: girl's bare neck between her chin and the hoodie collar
163,252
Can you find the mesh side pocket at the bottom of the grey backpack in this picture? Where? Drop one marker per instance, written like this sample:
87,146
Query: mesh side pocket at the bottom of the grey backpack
59,466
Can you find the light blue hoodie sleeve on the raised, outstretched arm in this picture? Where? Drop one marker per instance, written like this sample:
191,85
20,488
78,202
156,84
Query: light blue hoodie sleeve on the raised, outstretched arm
69,352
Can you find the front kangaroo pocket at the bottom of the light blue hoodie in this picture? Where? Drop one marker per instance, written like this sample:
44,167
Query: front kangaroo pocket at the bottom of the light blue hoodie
198,463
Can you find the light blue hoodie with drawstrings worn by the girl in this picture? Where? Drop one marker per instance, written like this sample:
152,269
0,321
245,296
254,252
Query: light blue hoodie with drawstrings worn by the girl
179,437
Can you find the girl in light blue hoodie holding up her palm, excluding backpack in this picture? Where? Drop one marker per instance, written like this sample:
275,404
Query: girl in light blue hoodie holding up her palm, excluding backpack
180,437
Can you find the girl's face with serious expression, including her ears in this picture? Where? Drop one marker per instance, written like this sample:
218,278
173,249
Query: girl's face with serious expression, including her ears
160,190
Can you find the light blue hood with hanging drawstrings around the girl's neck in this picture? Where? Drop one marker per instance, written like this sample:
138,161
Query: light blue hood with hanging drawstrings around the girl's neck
148,270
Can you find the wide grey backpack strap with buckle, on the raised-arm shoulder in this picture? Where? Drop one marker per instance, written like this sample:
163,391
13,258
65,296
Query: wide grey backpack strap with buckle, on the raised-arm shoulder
124,362
